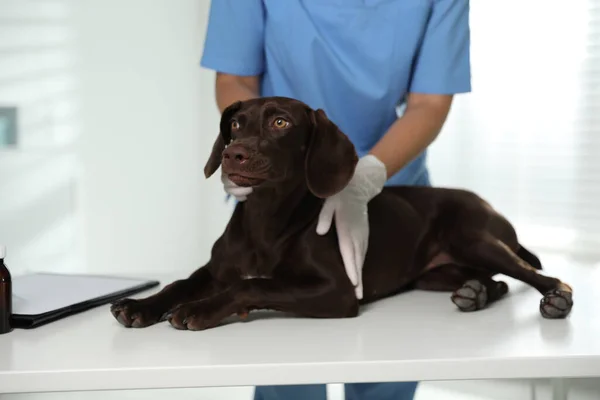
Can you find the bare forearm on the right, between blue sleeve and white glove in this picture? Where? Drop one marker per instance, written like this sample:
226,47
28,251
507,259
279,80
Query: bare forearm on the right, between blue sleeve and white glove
413,132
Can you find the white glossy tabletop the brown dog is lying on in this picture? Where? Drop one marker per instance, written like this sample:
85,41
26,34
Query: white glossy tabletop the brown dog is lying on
414,336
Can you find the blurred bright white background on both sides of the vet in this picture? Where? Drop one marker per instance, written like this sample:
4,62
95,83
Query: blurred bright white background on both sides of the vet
107,119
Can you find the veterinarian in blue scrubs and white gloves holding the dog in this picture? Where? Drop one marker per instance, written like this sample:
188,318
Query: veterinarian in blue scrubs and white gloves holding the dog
358,60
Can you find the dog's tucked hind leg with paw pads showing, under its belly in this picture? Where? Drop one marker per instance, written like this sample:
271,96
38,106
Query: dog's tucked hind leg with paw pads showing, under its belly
472,289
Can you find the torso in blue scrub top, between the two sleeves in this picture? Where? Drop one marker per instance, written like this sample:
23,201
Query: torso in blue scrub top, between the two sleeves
352,58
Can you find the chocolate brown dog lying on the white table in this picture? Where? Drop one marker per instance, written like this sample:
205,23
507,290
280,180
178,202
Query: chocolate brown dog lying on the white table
270,256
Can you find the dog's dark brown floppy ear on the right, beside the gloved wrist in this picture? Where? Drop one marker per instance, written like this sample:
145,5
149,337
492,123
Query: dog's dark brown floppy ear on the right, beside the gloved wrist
330,159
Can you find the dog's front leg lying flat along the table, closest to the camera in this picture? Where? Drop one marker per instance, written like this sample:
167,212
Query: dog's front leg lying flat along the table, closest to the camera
324,301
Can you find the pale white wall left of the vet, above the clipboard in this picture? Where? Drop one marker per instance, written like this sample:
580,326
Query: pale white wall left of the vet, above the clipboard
117,119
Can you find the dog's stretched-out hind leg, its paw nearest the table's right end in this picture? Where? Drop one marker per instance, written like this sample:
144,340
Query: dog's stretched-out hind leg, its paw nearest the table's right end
493,255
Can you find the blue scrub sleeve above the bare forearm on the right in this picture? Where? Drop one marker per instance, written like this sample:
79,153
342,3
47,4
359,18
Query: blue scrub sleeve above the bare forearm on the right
442,65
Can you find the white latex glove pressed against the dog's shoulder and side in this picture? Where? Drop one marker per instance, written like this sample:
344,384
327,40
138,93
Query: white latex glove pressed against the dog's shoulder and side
351,219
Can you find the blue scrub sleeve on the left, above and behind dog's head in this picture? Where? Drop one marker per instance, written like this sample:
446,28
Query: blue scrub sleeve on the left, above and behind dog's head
234,41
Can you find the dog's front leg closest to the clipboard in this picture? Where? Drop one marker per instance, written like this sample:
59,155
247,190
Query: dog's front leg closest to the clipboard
150,310
